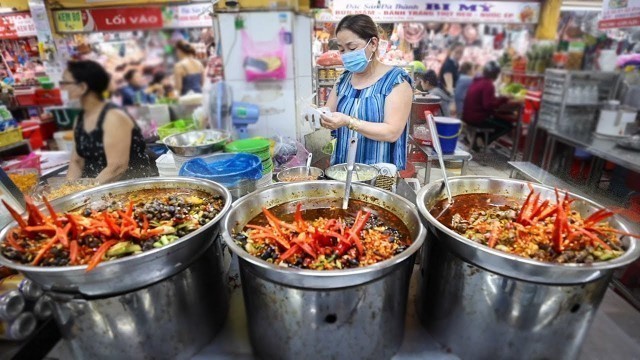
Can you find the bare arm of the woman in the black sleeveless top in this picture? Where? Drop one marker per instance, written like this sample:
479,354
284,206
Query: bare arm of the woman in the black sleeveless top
117,145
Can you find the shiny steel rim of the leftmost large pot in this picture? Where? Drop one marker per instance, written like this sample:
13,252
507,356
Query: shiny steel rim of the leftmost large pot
139,257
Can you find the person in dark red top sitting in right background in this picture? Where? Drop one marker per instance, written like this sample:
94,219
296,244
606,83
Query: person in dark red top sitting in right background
481,103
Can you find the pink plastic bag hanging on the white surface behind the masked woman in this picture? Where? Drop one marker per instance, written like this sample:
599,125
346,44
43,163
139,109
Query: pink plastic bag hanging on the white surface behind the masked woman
264,60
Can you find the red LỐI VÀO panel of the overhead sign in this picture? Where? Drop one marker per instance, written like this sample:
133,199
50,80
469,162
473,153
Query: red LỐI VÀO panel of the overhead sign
121,19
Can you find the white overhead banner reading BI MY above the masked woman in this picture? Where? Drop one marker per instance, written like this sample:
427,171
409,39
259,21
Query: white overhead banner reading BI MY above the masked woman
502,12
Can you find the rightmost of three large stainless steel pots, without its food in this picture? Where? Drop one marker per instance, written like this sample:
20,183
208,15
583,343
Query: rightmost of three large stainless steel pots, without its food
483,303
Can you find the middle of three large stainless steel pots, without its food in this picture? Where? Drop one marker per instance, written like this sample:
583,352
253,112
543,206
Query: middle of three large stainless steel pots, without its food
351,314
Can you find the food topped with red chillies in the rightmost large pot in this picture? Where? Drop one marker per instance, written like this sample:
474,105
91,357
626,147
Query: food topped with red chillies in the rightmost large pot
538,230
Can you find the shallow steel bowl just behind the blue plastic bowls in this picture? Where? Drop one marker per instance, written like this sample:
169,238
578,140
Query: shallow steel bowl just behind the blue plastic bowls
183,144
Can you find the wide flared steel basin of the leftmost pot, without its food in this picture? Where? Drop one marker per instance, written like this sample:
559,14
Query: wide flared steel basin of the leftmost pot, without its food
132,272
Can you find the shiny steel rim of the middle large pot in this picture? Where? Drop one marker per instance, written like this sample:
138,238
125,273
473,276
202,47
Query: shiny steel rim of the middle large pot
226,229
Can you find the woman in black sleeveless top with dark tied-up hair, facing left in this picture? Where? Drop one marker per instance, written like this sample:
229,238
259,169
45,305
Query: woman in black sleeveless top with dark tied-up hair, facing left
108,144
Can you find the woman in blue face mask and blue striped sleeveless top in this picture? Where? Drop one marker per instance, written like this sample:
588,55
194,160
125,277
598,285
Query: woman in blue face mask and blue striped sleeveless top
370,99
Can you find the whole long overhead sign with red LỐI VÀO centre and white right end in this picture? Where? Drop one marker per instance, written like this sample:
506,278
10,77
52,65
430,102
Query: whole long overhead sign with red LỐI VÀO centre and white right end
132,18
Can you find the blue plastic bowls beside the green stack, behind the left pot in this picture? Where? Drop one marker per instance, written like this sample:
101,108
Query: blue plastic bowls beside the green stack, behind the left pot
240,173
